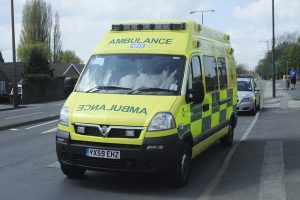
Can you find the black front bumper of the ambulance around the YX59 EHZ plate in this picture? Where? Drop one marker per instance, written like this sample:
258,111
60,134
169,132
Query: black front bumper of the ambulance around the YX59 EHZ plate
134,158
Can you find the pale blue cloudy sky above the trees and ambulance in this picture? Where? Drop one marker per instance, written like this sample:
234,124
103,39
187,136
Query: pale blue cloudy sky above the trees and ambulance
83,23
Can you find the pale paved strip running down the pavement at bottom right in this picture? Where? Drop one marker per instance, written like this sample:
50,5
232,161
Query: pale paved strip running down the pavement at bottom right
272,183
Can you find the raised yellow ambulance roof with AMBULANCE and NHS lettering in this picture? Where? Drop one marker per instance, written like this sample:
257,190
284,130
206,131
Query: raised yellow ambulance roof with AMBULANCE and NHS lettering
157,36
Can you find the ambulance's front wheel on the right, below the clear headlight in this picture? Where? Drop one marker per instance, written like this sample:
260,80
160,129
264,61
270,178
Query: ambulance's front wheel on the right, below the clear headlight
180,174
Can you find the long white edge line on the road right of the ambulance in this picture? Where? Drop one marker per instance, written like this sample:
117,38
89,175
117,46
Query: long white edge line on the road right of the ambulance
213,184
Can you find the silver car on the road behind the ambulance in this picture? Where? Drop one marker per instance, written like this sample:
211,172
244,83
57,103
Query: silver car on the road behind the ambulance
248,95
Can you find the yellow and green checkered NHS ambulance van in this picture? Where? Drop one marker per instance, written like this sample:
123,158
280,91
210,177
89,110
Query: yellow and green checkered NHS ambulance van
153,96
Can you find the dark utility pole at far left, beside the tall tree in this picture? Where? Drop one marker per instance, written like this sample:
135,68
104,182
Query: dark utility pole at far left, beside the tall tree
15,87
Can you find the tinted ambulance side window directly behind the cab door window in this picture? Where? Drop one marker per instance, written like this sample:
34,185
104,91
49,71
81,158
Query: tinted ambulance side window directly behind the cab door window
210,68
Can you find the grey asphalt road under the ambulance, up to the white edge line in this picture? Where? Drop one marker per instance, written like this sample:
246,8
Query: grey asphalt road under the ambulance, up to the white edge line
28,170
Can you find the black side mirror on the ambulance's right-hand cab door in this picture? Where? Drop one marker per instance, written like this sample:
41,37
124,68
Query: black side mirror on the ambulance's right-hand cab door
195,95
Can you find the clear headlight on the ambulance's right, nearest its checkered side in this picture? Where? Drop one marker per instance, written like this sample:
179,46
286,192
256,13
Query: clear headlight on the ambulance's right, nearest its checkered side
162,121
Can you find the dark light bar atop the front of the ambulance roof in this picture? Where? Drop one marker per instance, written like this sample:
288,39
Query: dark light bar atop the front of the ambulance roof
129,27
